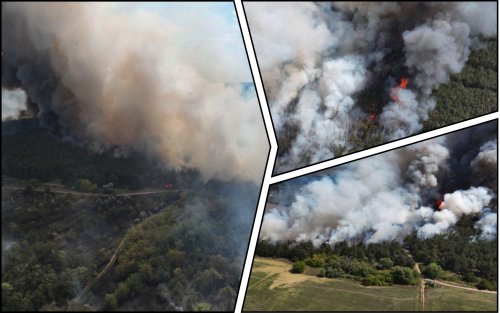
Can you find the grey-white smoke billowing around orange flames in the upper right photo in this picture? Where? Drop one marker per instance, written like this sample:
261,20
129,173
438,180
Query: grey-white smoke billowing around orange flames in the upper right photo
317,59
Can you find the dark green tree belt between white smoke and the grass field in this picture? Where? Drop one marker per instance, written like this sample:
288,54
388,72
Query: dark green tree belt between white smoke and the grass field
457,252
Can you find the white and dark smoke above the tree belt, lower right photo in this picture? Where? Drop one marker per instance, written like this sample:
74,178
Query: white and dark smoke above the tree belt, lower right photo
425,187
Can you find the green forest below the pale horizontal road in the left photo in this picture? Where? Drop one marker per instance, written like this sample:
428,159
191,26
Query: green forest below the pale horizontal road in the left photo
177,252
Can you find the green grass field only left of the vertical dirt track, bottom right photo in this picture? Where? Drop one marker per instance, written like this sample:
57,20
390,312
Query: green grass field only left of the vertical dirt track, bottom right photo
324,294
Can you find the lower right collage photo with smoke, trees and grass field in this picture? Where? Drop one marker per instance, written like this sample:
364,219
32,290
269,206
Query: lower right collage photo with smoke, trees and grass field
413,228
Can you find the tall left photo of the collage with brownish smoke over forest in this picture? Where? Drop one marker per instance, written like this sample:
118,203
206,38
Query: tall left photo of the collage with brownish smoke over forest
133,155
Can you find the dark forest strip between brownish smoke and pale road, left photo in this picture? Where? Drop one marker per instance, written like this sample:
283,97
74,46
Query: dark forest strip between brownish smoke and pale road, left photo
37,154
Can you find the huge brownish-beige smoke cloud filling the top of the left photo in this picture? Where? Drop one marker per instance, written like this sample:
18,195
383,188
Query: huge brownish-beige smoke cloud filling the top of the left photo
115,78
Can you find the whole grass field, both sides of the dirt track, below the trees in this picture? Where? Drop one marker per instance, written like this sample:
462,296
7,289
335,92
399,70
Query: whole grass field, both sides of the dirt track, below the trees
272,287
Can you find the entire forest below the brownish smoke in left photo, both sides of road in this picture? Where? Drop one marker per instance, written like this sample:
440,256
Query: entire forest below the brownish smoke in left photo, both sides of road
177,249
